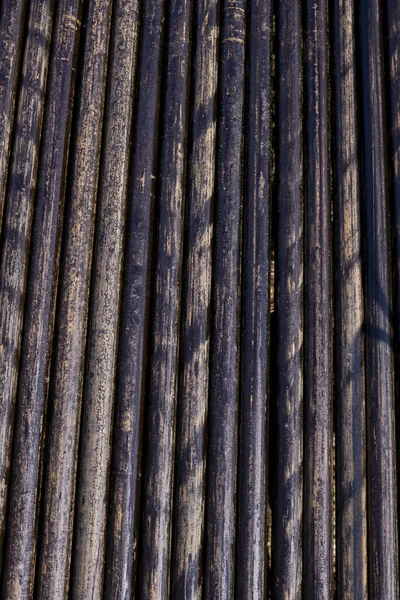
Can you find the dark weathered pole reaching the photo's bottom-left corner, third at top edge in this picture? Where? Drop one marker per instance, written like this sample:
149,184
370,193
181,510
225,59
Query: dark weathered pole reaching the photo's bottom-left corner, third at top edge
26,464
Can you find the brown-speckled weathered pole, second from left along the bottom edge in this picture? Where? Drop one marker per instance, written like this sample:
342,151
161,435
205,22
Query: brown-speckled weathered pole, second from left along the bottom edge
70,335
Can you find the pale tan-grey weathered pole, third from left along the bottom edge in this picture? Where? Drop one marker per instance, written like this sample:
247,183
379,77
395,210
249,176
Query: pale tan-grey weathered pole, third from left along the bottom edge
101,352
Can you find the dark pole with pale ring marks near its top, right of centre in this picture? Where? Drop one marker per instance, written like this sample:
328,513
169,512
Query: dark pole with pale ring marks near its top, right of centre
225,321
